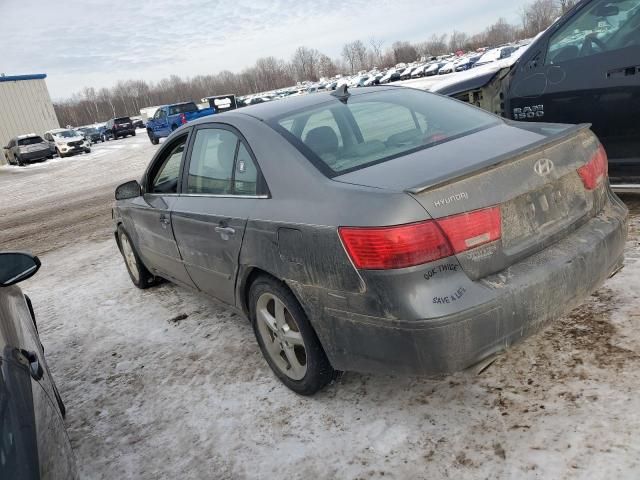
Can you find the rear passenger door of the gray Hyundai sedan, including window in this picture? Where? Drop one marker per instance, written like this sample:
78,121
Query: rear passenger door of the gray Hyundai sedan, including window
221,187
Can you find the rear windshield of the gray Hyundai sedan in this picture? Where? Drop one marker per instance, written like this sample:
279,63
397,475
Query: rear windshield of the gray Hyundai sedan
376,127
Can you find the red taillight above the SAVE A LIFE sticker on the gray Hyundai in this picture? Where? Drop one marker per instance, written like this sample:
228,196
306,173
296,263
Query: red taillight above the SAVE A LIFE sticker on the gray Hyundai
417,243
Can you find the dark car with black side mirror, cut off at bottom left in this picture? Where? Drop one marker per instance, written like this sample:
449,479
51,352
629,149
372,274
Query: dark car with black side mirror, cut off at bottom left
33,441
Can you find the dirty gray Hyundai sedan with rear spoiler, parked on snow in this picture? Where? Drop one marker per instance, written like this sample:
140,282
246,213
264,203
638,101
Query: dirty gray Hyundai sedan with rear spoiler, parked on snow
381,230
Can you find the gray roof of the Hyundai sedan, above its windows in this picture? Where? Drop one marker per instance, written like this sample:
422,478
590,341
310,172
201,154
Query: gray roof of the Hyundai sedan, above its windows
275,108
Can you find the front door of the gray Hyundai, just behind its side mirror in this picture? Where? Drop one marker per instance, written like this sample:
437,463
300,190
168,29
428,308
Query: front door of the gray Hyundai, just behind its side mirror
148,218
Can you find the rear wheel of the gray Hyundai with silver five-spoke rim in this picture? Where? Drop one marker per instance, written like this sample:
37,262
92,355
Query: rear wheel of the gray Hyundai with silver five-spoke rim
287,341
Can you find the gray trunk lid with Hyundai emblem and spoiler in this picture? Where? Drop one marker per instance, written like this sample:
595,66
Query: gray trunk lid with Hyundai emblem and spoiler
536,186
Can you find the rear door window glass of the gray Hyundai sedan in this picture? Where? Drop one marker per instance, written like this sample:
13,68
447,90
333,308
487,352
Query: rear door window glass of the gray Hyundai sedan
221,165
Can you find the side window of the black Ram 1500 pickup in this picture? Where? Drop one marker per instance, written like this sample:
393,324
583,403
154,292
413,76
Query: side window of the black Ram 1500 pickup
602,26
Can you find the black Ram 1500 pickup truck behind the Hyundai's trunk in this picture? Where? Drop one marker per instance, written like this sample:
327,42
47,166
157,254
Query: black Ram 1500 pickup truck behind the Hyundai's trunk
585,68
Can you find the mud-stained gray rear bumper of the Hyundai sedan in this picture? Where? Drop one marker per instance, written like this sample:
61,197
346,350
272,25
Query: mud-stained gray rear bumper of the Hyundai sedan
526,297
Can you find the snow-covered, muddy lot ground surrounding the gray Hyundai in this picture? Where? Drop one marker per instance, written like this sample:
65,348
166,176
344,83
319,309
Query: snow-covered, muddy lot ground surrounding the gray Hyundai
166,383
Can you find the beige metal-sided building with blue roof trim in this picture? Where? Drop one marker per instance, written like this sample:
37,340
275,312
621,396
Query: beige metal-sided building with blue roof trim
25,107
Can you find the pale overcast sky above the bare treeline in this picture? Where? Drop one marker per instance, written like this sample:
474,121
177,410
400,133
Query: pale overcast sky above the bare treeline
81,43
